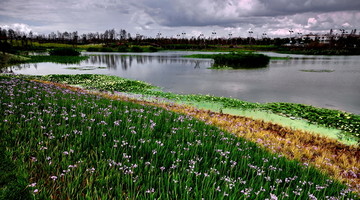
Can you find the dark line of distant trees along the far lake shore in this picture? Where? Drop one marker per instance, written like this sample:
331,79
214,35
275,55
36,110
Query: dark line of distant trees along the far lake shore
113,38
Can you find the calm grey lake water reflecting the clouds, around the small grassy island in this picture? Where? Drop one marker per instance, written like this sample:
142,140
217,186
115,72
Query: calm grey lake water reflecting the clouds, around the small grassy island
323,81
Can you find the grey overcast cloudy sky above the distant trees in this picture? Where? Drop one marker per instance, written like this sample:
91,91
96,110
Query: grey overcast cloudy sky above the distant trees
172,17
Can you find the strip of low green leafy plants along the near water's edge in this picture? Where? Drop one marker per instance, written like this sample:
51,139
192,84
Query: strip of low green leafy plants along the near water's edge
348,124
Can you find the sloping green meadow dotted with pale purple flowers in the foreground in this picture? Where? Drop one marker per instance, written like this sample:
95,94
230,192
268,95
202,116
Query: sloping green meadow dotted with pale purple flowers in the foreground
70,144
